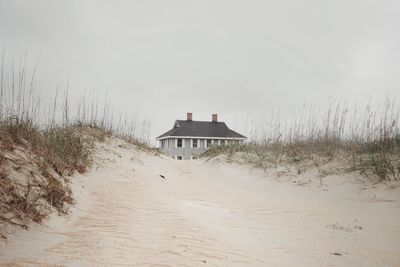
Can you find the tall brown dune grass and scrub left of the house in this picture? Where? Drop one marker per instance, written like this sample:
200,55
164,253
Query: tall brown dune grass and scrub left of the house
42,146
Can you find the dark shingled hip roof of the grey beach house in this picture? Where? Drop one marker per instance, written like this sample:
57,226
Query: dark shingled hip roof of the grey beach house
201,129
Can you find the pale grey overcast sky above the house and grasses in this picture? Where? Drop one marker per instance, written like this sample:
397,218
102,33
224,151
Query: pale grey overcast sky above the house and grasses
235,58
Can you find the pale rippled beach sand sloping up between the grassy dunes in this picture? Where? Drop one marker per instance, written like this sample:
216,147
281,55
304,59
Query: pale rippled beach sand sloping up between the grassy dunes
199,214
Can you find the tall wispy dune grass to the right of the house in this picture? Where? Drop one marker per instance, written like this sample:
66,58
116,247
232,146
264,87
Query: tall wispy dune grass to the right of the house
366,143
